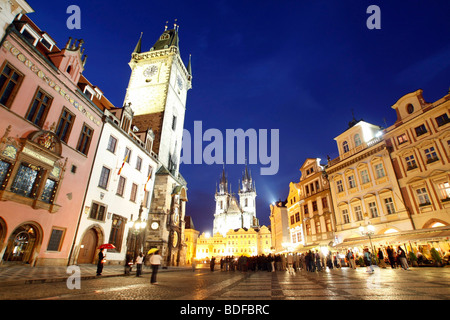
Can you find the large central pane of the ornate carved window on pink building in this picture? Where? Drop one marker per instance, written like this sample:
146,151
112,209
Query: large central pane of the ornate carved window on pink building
26,180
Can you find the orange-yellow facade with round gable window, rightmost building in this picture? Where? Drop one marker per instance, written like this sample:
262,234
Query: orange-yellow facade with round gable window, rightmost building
420,144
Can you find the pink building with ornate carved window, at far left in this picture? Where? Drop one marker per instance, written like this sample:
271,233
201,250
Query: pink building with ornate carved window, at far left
49,131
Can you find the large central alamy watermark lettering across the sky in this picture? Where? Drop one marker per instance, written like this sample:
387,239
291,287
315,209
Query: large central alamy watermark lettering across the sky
231,148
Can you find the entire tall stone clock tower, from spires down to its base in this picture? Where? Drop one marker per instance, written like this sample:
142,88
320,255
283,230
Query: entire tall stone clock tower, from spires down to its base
157,93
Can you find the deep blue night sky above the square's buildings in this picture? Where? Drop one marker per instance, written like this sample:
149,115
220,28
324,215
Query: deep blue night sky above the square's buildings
297,66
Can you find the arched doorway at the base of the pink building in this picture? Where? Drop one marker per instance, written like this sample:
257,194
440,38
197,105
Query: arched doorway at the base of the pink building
21,244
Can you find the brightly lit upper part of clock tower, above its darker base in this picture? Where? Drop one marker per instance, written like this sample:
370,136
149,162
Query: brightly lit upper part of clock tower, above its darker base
157,91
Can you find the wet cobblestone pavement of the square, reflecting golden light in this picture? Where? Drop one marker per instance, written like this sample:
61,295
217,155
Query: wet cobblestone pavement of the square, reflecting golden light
183,284
